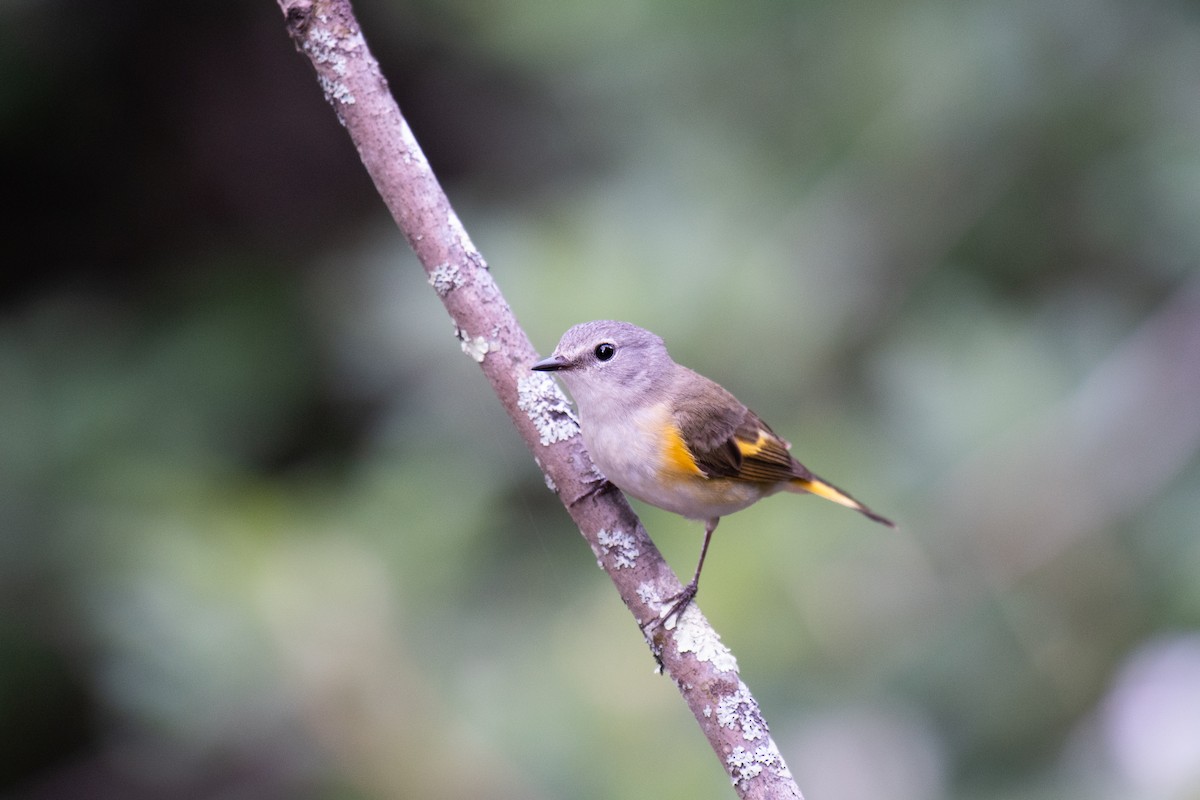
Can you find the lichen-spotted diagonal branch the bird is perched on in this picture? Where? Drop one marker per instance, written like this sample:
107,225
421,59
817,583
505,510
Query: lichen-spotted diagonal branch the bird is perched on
691,652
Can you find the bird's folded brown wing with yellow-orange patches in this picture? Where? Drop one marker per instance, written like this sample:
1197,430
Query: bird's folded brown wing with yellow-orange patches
730,441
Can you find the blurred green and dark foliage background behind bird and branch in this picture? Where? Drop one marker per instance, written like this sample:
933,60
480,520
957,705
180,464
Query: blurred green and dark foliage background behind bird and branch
265,533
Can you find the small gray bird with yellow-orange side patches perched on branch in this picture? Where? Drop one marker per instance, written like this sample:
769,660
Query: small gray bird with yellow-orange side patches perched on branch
674,438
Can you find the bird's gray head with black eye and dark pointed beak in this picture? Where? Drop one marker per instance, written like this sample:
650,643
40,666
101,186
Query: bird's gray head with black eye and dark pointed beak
609,365
